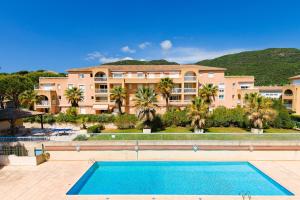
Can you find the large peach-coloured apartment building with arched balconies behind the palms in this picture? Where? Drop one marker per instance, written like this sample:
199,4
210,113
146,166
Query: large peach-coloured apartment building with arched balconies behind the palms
97,81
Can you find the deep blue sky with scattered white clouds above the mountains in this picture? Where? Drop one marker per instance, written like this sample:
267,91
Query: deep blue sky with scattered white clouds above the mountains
60,34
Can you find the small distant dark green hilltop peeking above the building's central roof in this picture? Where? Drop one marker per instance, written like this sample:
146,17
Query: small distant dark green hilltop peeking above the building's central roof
138,62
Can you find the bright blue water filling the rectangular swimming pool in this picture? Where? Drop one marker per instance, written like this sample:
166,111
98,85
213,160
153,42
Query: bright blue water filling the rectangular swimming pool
176,178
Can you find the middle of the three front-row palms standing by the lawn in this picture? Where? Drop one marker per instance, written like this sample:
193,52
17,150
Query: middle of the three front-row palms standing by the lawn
198,113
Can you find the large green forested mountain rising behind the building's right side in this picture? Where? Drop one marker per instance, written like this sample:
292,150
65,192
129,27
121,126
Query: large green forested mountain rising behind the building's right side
270,66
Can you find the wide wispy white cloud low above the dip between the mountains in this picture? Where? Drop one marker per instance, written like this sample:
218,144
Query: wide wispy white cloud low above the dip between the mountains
185,55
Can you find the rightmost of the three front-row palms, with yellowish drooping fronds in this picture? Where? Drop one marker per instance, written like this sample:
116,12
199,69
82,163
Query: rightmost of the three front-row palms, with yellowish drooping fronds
259,110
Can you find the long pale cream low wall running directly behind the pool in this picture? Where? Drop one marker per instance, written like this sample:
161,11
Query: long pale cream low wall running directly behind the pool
176,155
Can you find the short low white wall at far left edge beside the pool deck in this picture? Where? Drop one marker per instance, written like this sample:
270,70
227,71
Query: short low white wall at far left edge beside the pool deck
17,160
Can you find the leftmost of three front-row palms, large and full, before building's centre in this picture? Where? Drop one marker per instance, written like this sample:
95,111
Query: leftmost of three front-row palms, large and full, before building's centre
145,102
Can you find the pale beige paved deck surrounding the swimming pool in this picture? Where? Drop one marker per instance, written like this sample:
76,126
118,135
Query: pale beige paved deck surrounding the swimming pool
51,180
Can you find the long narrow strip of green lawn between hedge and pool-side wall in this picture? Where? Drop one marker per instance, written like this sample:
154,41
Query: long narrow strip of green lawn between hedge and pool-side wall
166,136
